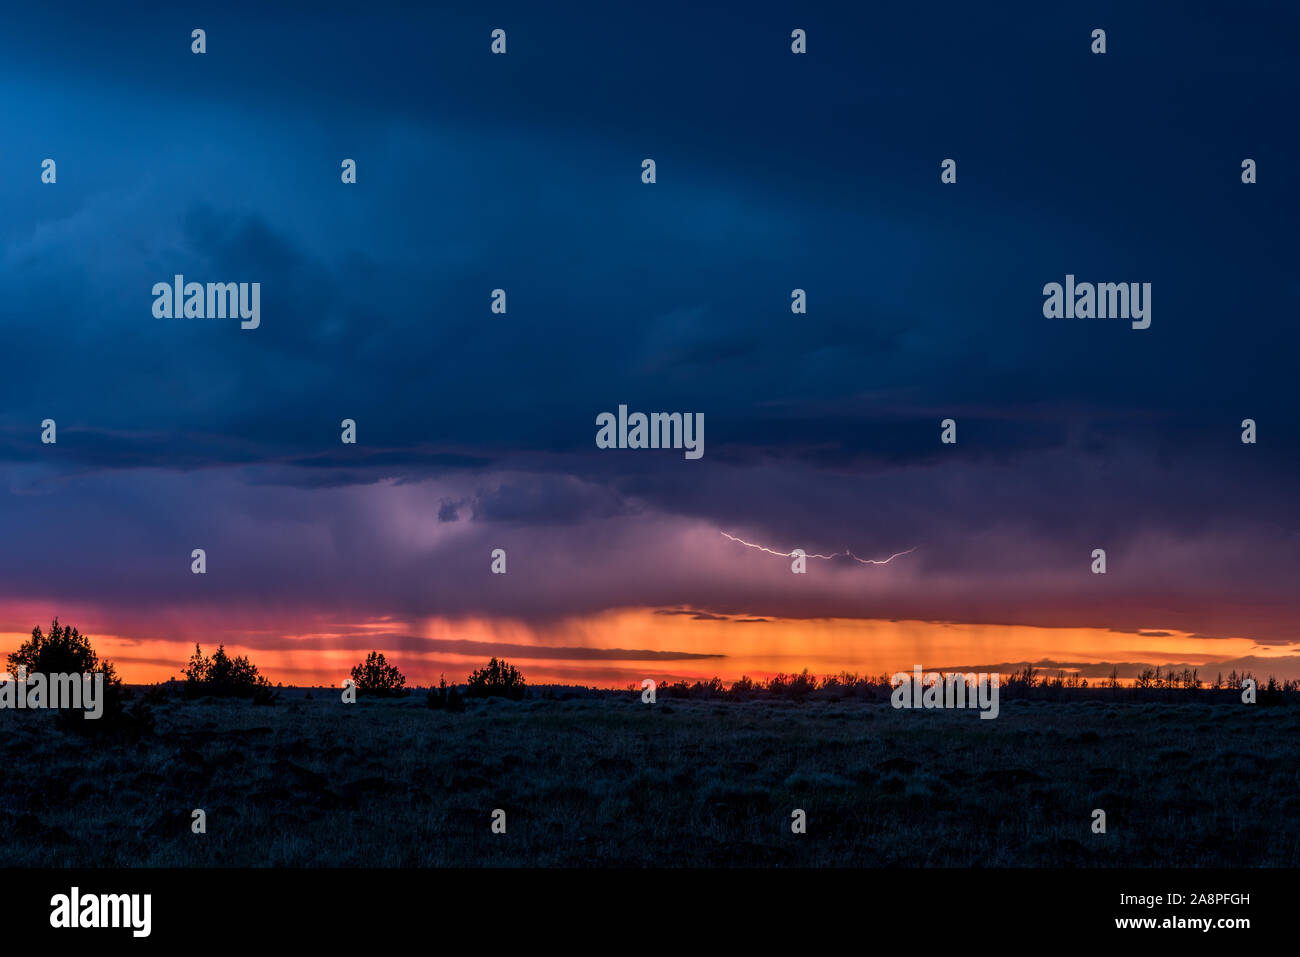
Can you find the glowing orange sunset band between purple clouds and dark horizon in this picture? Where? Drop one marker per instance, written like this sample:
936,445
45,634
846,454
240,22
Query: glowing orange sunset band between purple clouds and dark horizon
323,655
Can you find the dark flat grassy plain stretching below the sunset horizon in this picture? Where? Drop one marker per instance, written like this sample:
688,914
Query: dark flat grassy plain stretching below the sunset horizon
678,783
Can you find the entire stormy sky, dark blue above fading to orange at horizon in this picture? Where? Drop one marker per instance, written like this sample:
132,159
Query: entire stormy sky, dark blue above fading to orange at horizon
478,431
